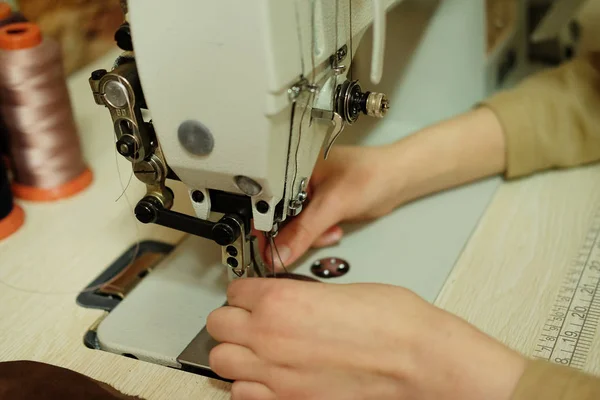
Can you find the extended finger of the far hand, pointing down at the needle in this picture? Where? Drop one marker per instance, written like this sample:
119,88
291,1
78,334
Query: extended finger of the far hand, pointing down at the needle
298,236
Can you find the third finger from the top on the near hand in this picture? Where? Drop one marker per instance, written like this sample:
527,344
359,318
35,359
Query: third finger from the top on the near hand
231,361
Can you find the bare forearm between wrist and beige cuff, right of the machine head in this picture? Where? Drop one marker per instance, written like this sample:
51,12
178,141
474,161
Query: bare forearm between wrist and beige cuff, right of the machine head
448,154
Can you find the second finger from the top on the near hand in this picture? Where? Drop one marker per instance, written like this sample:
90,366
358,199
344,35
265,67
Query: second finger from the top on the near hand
229,324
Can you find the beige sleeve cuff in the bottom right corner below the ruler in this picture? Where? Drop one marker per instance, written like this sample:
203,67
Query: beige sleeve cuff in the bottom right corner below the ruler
545,381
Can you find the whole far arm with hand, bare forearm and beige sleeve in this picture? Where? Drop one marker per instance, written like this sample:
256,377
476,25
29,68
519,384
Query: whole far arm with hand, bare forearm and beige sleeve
550,120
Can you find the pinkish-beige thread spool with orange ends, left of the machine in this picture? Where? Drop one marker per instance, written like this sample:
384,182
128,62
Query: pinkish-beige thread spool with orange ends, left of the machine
45,150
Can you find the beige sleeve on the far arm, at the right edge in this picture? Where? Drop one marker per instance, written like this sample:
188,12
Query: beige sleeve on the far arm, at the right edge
552,119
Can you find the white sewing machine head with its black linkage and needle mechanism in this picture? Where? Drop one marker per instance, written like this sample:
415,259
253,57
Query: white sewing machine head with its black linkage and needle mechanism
244,113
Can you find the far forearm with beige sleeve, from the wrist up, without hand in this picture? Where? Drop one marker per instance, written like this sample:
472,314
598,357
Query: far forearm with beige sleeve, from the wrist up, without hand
551,120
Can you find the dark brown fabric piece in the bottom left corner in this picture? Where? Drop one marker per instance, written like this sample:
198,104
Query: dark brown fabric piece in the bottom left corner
27,380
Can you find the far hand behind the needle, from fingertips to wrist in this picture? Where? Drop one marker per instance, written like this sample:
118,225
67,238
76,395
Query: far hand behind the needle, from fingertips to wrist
353,184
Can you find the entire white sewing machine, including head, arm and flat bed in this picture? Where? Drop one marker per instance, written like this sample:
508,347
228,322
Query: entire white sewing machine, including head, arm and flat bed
238,100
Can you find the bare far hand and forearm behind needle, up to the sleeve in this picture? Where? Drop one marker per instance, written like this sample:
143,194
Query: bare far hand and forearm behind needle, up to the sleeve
362,183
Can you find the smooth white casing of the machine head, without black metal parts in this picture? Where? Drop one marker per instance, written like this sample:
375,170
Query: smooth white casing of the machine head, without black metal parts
230,65
